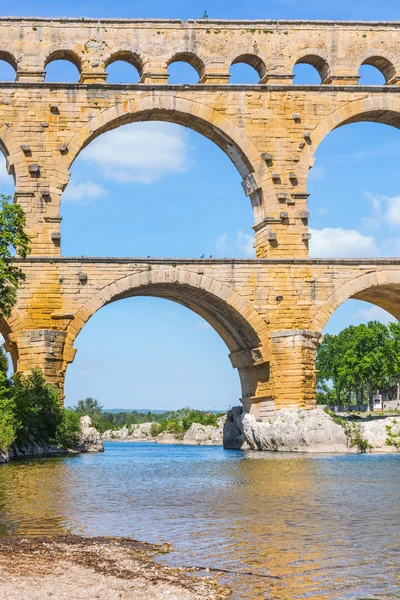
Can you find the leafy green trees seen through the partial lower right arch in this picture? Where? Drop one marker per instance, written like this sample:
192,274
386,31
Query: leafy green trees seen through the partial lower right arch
358,361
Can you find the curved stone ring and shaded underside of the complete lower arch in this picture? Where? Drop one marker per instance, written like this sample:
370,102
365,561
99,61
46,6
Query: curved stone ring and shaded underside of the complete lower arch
232,317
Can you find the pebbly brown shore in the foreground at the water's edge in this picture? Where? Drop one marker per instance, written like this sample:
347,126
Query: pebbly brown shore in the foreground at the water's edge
75,567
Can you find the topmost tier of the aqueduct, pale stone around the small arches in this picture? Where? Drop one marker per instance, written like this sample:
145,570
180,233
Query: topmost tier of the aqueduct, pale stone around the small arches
335,48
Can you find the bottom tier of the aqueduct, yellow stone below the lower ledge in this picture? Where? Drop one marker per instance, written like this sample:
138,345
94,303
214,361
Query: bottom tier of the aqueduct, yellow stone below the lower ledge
269,313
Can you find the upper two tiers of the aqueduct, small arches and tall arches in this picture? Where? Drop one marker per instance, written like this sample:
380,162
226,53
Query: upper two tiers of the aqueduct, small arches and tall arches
270,130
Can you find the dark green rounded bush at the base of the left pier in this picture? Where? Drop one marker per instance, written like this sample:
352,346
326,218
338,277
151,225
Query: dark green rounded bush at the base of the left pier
38,408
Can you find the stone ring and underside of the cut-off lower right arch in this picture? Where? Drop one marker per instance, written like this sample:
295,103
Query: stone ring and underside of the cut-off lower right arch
380,288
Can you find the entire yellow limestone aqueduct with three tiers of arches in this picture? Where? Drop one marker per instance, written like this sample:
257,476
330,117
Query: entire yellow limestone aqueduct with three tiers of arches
270,311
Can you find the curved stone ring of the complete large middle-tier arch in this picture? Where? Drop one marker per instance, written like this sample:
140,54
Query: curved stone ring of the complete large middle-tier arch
194,115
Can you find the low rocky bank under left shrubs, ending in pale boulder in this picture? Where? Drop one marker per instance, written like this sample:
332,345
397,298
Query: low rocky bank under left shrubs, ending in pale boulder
89,441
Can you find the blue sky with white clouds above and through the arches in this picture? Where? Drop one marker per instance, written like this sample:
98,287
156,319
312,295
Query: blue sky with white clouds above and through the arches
161,190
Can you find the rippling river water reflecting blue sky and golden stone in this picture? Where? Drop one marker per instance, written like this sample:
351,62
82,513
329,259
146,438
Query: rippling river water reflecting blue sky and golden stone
328,526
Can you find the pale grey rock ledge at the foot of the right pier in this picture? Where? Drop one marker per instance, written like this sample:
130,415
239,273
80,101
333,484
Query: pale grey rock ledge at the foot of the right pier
310,431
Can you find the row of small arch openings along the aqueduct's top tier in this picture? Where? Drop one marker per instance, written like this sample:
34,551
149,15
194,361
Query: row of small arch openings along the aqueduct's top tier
126,67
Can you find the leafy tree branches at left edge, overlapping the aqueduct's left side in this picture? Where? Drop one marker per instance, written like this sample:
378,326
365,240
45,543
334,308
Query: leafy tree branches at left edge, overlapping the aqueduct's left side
13,240
